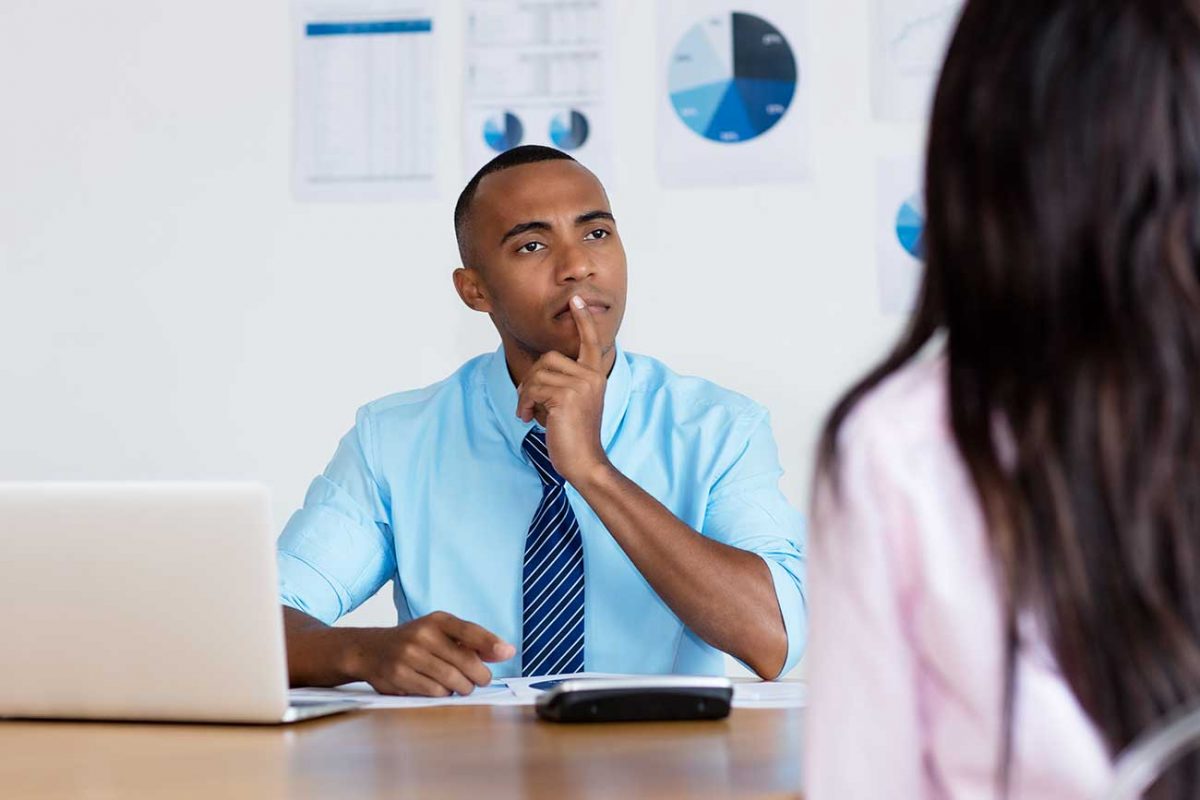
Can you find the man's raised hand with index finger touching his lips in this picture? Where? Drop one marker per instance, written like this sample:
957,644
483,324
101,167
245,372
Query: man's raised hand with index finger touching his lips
567,398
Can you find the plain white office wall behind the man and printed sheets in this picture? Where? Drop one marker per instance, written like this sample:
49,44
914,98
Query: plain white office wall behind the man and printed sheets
169,311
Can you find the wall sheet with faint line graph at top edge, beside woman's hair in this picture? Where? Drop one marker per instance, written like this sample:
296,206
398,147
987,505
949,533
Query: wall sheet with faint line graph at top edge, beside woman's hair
909,41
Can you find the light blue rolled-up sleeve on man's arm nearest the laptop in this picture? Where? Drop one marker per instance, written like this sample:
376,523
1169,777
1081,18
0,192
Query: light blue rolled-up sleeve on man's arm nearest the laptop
338,551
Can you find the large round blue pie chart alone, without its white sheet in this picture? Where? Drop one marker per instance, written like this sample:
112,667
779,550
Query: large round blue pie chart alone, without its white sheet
733,77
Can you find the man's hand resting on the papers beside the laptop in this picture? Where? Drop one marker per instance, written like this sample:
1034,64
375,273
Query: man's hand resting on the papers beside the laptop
435,657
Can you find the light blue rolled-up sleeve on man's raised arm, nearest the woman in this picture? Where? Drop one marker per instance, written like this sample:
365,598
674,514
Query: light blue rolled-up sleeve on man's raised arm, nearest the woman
748,510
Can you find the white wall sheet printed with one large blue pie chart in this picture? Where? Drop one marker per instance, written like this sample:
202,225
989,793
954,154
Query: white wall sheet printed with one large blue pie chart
734,93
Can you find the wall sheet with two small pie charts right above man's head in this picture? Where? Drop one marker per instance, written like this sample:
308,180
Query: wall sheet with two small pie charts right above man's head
538,74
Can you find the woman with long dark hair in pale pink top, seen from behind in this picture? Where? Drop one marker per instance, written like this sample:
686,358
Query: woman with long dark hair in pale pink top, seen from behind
1006,567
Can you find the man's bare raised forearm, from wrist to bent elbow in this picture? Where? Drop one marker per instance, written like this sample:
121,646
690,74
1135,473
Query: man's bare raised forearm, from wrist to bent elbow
724,594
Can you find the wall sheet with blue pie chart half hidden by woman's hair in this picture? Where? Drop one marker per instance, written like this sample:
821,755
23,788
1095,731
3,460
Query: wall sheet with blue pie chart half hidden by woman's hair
899,232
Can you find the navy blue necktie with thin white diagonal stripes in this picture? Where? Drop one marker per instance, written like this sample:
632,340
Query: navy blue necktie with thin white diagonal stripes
553,624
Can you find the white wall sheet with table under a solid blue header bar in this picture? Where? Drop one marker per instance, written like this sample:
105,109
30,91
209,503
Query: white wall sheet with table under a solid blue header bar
365,127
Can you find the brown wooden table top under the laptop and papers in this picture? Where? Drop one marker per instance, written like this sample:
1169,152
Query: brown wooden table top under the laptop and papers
440,753
